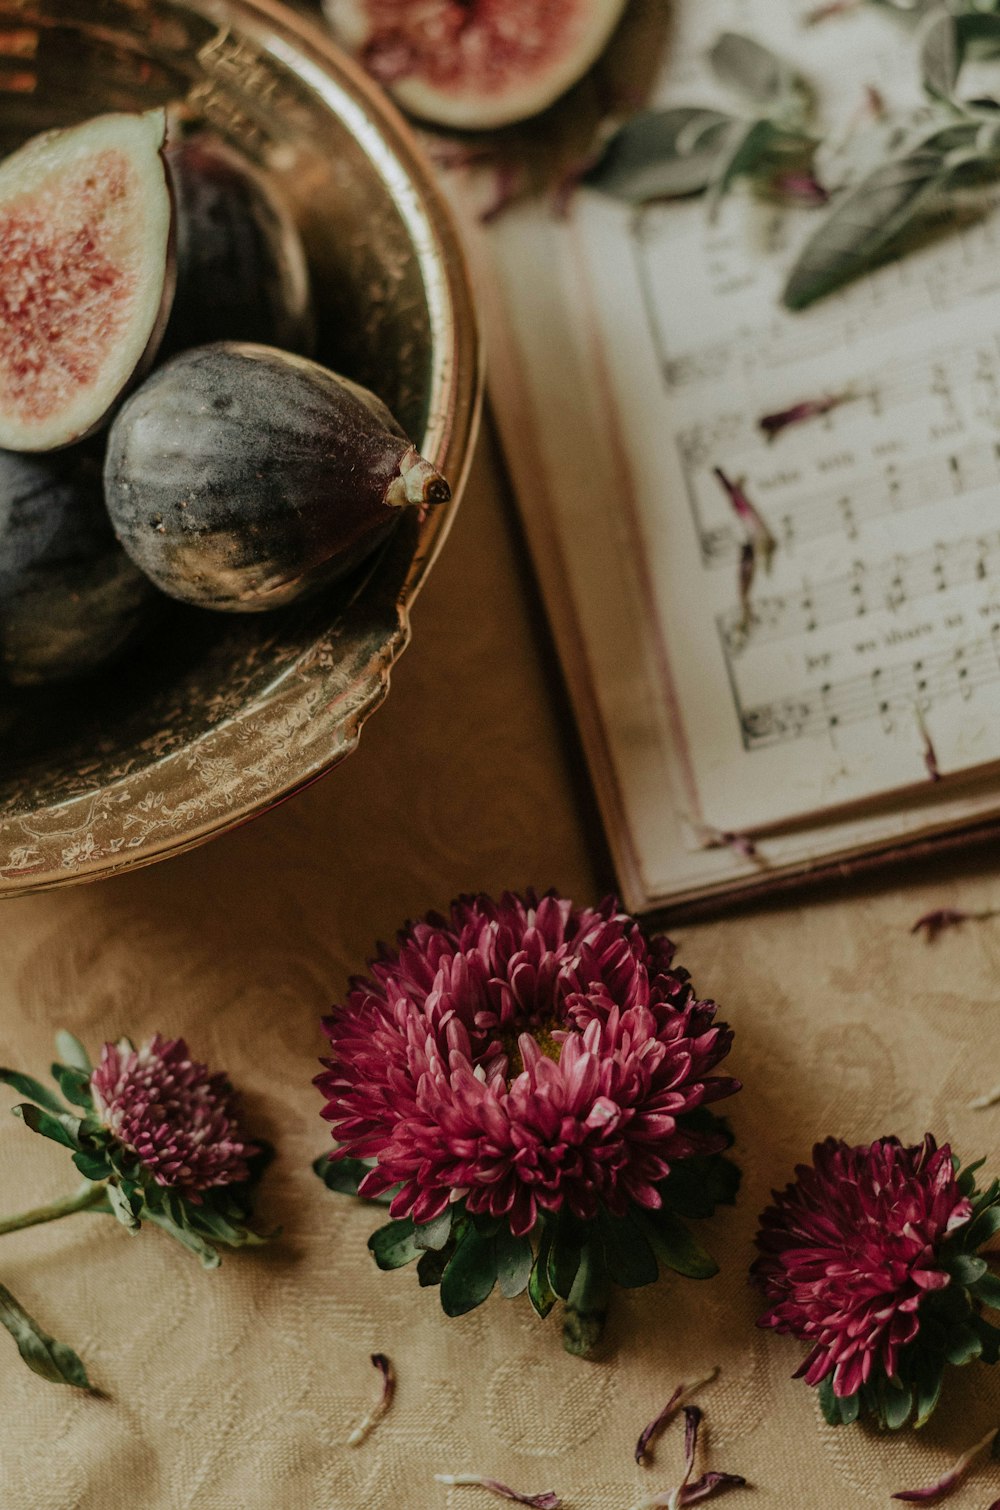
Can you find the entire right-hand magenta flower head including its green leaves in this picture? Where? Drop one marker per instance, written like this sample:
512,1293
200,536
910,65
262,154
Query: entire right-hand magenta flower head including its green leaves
869,1257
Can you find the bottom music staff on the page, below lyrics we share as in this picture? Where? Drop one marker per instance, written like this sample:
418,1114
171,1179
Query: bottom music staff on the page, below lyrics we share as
884,694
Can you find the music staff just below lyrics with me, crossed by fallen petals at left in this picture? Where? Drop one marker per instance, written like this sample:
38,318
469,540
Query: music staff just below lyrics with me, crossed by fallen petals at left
895,488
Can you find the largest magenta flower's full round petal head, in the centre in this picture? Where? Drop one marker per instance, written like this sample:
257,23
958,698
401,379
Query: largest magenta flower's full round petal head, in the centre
523,1056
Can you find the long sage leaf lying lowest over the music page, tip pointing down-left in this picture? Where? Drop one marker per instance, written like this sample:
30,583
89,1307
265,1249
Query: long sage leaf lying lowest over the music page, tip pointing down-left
865,221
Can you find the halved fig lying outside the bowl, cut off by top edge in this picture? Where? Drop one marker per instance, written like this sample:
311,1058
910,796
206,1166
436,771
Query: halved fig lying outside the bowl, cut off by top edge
475,64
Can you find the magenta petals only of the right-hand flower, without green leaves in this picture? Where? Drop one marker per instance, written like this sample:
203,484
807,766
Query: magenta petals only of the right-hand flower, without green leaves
851,1251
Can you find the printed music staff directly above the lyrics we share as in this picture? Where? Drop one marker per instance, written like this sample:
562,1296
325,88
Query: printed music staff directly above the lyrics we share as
862,591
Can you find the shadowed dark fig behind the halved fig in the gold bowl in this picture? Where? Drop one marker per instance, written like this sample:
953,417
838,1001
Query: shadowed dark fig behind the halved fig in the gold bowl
241,267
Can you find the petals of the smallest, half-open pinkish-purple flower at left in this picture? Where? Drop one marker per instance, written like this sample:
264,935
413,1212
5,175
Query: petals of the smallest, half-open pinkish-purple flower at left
173,1114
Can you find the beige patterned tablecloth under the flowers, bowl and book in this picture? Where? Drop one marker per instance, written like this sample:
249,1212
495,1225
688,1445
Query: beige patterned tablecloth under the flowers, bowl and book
238,1388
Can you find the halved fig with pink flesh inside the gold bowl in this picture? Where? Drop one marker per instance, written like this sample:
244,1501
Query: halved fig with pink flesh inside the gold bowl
87,276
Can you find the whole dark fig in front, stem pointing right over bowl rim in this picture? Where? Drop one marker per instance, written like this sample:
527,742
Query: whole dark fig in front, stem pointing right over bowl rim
241,478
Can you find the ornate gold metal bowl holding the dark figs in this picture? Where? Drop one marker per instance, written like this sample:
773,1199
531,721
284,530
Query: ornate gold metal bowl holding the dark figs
217,718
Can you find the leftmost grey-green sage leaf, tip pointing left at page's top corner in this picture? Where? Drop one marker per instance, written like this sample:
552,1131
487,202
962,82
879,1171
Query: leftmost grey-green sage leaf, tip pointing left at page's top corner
661,155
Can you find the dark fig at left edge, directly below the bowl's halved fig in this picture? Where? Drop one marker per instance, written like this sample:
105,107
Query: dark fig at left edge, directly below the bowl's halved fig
70,599
